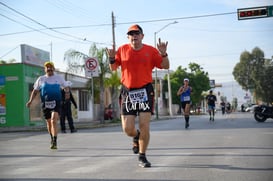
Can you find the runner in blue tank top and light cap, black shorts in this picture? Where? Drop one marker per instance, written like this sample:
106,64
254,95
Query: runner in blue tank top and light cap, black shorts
185,98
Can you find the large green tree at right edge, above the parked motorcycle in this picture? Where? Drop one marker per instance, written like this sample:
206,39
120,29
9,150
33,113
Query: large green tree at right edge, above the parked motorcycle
253,72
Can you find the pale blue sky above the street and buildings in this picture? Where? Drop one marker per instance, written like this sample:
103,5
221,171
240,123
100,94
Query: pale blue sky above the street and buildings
214,42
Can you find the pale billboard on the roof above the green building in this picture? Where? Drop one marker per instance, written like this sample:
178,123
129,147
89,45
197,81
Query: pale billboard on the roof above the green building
34,56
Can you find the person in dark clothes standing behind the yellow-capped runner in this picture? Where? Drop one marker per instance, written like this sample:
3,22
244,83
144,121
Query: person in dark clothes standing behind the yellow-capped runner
67,99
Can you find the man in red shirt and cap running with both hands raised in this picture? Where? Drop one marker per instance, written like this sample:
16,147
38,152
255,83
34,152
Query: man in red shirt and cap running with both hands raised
137,61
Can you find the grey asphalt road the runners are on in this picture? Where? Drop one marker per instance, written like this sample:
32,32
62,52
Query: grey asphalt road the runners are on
234,147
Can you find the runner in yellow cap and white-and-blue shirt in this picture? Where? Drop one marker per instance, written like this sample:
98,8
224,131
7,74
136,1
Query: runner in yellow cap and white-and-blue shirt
49,86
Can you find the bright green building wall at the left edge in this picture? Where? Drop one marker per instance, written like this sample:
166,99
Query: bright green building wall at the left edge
16,84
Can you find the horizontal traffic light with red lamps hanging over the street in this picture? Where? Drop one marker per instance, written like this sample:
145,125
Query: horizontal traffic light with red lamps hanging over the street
255,12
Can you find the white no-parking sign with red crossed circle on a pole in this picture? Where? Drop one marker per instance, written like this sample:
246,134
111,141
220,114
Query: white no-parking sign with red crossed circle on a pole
91,67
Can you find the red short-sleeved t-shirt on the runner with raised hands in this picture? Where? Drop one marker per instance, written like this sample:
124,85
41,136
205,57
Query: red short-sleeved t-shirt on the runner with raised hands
137,65
